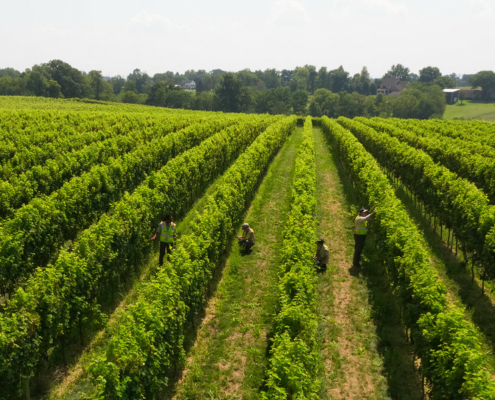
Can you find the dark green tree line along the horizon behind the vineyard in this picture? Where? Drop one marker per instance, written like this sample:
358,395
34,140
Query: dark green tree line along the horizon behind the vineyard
303,90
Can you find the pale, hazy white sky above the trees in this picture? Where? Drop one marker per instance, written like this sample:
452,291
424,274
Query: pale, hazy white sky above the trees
116,37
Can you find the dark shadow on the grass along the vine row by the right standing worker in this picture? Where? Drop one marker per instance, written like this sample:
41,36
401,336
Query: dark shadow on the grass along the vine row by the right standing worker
403,381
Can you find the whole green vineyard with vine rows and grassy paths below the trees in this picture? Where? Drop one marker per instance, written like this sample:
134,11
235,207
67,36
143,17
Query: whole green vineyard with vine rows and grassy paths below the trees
86,312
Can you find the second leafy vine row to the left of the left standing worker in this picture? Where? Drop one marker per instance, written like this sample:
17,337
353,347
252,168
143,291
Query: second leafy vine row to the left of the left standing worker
37,230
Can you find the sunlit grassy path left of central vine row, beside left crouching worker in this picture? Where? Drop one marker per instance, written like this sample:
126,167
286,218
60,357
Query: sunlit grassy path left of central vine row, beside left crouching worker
229,357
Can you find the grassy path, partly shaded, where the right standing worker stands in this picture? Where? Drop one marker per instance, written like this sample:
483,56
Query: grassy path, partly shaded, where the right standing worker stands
362,339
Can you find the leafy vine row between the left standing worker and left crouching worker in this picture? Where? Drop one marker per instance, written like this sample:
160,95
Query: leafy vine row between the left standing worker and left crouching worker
146,339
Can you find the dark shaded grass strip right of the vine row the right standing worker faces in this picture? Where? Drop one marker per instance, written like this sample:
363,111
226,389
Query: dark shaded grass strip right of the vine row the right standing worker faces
480,306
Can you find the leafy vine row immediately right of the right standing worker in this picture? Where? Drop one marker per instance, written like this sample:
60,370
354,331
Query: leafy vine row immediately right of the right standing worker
452,360
